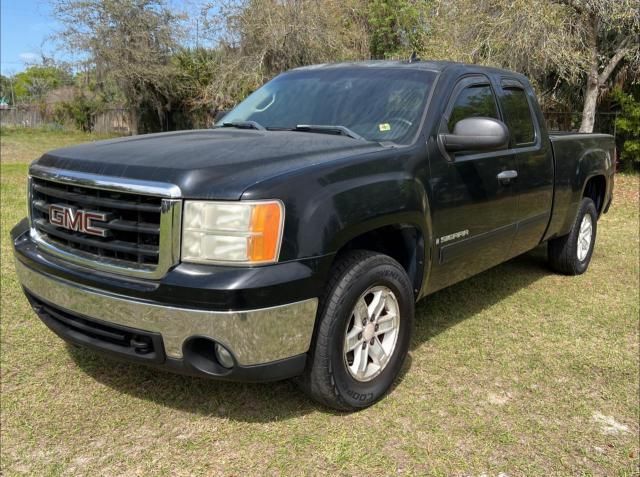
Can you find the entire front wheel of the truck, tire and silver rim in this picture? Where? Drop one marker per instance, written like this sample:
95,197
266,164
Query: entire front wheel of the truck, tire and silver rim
363,333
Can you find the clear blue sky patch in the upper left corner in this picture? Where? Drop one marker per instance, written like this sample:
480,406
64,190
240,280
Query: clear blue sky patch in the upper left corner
24,28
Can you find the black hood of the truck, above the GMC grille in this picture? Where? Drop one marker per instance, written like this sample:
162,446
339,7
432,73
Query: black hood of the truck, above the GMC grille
211,164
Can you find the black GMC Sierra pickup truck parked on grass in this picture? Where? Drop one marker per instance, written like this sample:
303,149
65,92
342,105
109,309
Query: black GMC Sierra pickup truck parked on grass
294,238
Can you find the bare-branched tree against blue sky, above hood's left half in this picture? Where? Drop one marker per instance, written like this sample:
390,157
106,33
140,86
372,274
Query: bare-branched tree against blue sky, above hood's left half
130,41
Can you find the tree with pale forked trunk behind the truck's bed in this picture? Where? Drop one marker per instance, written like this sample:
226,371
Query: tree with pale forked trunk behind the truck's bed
564,46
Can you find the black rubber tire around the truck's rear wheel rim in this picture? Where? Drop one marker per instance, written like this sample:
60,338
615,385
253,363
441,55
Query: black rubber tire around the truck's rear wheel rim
563,251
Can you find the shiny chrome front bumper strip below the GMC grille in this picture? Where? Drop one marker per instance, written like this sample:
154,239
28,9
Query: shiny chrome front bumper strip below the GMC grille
253,336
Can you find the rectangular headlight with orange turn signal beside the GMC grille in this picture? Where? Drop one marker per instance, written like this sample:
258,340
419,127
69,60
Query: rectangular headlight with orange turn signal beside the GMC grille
242,233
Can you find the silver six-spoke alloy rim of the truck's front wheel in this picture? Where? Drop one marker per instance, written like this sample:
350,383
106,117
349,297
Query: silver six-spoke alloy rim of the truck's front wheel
372,333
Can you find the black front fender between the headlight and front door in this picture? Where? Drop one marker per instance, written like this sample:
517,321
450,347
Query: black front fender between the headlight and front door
329,204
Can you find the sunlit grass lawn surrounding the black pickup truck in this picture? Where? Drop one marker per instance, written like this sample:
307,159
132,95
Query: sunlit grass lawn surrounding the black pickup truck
515,371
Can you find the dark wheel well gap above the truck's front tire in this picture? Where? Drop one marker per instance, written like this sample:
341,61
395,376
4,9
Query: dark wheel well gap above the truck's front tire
403,243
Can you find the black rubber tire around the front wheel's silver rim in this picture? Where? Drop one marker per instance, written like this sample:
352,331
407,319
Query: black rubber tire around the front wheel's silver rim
327,378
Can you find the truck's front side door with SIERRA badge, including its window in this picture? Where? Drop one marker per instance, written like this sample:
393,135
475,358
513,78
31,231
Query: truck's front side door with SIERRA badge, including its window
475,222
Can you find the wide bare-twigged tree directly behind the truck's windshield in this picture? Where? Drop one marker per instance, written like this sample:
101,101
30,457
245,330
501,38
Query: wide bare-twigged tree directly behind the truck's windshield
261,38
